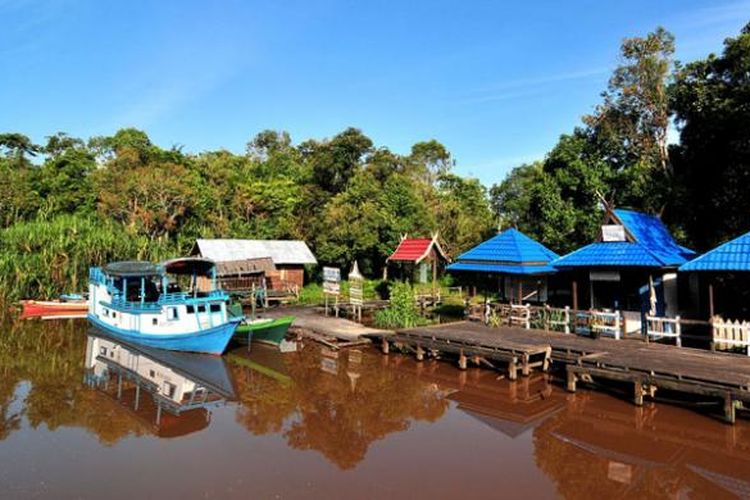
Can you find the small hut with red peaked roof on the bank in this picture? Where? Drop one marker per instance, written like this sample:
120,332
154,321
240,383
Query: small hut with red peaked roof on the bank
419,259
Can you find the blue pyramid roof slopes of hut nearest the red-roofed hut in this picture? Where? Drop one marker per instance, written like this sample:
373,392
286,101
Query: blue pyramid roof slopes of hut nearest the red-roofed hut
510,246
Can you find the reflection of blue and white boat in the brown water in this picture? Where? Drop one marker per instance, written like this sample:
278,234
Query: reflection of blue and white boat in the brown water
172,392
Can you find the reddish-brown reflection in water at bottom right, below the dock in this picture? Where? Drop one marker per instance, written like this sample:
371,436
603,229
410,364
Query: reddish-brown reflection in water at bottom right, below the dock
602,447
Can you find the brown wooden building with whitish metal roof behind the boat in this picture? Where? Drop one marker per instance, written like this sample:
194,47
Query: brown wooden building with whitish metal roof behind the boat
289,257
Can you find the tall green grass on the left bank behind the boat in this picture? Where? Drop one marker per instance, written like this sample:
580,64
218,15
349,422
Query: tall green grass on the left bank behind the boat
41,259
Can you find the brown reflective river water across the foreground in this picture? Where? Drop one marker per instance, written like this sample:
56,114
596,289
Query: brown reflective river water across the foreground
85,417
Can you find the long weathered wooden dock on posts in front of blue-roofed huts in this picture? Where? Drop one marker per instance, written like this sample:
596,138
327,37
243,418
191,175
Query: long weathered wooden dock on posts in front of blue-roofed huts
647,367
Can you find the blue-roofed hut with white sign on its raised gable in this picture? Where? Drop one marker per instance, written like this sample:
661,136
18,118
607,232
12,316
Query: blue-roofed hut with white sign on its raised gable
634,260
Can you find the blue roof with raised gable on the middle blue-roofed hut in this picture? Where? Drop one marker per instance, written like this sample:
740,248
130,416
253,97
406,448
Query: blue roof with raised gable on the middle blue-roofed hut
654,246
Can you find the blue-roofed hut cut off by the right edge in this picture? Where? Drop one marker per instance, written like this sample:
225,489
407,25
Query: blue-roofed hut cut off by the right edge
722,277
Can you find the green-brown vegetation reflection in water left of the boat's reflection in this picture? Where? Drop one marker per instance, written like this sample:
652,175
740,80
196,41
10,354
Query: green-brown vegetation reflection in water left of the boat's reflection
50,357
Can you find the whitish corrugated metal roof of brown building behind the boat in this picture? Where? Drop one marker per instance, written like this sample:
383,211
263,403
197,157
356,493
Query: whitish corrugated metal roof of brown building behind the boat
280,251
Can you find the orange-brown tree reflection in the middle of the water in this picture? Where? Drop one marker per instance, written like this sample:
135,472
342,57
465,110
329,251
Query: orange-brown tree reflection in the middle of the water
338,414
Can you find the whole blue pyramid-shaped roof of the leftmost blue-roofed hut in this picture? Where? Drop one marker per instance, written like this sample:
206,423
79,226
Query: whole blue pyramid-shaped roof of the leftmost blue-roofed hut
510,252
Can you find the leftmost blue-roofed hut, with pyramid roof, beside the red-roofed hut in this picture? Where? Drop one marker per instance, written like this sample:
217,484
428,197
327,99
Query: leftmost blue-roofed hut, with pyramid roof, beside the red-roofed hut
518,265
